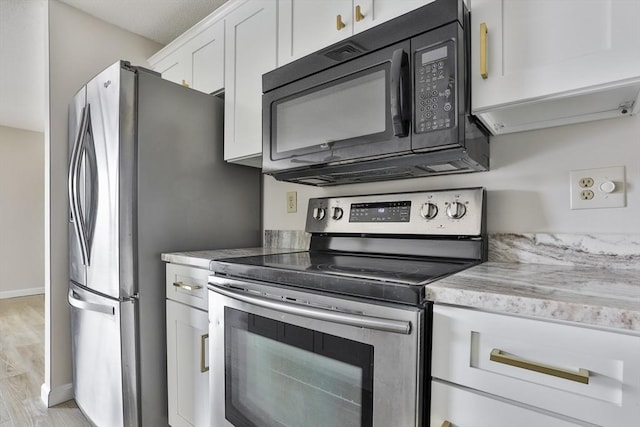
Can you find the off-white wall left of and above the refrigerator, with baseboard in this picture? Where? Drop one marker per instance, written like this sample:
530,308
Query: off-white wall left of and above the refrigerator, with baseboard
80,46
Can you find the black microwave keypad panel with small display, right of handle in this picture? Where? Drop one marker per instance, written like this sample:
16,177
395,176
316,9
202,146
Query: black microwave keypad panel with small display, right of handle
435,91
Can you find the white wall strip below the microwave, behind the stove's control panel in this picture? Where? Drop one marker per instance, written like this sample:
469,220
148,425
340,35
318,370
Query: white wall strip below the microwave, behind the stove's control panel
527,186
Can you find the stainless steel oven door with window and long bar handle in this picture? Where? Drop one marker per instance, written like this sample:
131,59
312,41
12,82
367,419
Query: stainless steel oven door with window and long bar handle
287,358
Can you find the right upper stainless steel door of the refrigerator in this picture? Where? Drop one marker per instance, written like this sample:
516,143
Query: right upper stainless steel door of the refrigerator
110,103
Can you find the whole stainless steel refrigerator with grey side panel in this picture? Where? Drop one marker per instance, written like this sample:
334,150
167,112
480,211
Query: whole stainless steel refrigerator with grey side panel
146,176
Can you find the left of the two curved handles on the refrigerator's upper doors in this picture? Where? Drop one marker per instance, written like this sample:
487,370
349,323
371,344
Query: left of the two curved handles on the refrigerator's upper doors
74,185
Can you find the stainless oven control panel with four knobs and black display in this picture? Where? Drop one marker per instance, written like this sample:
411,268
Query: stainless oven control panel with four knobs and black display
439,212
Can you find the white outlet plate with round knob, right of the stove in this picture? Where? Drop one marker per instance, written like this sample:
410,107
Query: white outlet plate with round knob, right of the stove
598,188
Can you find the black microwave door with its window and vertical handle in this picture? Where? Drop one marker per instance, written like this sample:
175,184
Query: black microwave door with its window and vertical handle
353,111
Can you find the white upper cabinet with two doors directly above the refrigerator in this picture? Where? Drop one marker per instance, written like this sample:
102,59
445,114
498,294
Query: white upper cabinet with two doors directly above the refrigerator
195,60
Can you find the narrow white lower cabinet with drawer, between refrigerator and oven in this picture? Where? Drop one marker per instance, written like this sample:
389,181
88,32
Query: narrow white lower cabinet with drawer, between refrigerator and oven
187,347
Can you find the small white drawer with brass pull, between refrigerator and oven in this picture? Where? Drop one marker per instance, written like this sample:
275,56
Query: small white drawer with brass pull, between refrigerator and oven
187,285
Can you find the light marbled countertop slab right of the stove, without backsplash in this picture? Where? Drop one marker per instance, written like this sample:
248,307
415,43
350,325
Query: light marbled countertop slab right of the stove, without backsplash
601,297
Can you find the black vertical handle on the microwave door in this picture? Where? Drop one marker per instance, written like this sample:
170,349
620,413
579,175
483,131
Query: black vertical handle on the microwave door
399,92
